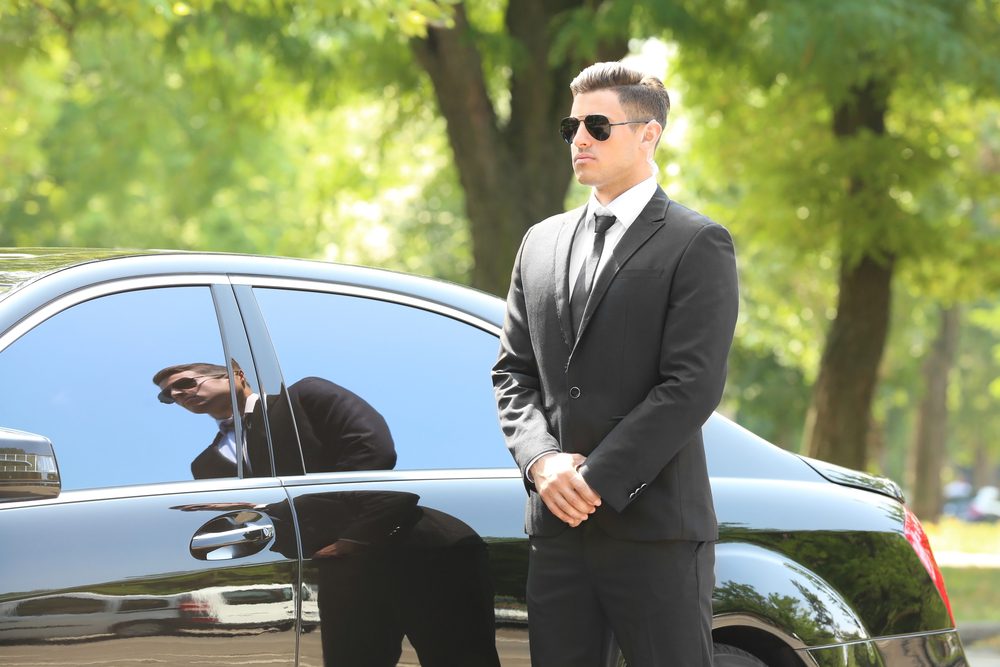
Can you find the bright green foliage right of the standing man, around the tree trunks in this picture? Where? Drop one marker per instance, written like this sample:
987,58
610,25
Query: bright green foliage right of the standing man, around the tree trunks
760,85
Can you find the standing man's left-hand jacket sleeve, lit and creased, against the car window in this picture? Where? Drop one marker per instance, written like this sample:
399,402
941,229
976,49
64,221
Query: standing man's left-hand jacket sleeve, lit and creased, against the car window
516,380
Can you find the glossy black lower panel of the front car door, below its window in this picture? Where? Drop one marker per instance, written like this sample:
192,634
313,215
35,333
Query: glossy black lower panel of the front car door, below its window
78,563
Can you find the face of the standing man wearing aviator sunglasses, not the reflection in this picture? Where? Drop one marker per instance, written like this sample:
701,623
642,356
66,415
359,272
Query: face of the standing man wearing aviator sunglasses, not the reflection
616,164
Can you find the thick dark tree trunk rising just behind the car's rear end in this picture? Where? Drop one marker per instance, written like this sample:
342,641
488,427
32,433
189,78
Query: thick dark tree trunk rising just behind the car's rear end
840,415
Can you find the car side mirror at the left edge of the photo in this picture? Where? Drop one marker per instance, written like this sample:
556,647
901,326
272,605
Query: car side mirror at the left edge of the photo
28,469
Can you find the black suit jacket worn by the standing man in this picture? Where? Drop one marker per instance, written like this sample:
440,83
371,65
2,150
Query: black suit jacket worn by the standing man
633,389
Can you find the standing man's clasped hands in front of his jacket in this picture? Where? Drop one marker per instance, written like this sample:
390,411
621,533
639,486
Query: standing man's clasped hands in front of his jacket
562,487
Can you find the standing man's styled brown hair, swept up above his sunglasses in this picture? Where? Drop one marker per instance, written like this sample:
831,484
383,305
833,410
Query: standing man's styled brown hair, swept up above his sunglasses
642,97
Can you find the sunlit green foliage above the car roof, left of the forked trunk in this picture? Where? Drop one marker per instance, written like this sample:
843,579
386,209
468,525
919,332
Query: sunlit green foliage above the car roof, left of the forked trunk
247,126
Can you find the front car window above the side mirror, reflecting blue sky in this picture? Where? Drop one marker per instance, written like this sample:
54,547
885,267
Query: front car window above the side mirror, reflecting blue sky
83,378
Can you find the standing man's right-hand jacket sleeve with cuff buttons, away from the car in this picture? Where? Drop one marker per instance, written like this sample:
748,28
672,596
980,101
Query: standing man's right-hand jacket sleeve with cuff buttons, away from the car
694,348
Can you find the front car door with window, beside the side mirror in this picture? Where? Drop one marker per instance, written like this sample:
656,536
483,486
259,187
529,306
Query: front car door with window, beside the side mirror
135,560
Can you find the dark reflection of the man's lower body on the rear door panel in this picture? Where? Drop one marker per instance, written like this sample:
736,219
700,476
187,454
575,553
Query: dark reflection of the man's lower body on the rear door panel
388,568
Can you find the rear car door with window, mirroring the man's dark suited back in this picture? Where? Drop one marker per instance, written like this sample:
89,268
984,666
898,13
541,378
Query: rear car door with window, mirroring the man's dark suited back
417,556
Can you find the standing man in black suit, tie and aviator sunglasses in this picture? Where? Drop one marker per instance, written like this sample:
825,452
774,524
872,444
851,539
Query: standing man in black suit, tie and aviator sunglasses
613,355
